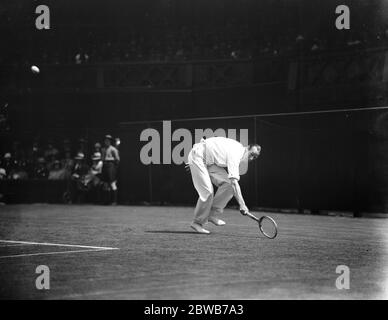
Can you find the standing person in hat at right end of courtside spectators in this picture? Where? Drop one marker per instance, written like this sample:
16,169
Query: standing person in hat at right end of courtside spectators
111,160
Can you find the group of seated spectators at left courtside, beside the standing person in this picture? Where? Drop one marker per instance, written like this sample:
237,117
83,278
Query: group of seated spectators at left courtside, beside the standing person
79,164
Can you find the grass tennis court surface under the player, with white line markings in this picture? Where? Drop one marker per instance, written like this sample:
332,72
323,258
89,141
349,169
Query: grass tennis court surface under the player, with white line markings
160,257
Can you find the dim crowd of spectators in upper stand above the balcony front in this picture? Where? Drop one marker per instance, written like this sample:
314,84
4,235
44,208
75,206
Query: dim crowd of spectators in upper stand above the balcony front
190,43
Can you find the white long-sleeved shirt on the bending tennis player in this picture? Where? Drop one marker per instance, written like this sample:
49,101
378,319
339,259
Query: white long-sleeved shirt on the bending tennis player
226,153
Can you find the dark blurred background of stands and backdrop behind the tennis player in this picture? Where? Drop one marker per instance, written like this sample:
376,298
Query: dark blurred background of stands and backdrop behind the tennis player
120,67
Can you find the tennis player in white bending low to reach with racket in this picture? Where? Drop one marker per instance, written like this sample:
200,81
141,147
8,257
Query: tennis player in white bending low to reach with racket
207,161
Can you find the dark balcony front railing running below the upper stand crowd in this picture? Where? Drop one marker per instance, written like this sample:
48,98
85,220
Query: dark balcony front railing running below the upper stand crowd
300,71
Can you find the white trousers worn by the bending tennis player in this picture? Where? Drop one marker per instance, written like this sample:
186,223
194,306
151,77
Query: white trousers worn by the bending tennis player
204,177
